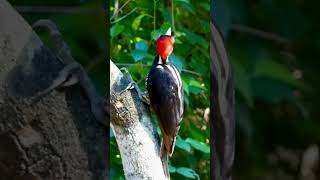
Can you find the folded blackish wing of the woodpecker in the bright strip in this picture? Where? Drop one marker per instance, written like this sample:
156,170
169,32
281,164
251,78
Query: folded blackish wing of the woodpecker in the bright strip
165,98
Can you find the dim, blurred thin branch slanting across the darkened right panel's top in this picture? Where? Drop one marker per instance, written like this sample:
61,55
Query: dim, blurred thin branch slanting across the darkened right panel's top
260,33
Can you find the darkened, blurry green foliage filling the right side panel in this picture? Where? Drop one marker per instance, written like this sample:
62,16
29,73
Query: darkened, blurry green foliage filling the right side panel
274,49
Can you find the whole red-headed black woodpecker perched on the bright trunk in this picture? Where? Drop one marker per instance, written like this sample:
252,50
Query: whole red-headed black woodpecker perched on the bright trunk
164,87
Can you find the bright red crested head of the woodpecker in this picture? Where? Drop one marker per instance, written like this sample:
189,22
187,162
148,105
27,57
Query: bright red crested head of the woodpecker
165,46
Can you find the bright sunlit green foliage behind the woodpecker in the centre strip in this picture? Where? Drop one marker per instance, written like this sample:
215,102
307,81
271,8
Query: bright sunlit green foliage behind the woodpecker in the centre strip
135,25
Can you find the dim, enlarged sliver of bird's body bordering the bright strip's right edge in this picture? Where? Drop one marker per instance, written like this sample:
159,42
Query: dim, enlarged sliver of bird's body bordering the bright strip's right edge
222,109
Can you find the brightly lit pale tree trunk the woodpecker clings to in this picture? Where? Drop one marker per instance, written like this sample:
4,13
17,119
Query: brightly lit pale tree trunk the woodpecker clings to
135,134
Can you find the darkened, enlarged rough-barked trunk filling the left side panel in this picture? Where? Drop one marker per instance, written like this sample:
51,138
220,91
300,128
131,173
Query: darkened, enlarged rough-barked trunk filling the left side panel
55,136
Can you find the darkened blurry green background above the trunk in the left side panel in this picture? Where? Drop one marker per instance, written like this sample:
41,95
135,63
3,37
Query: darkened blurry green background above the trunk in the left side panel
83,26
